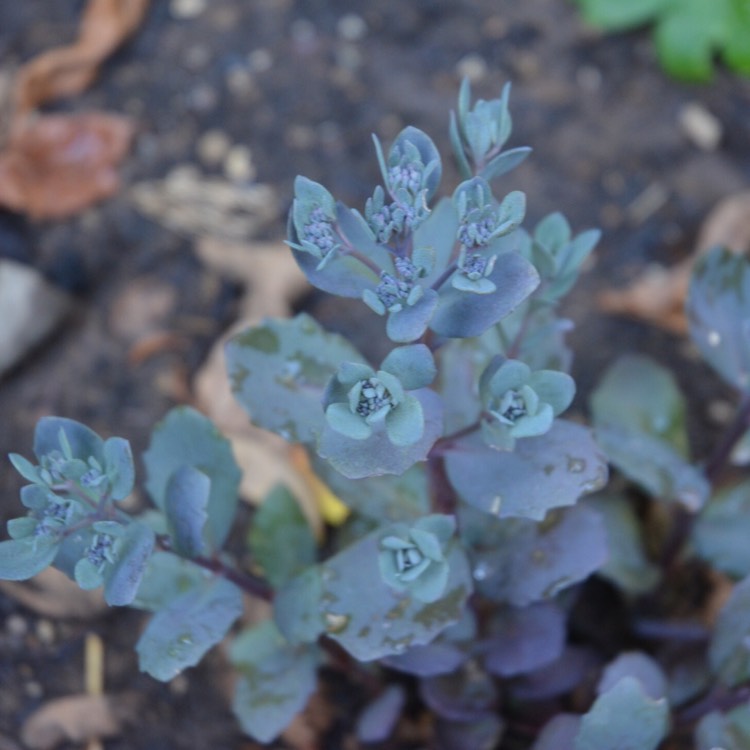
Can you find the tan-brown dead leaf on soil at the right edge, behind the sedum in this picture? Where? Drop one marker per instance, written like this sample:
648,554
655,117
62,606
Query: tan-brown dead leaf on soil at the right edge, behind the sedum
658,295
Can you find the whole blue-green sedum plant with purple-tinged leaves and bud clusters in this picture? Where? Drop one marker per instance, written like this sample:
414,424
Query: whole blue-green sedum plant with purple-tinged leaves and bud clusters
477,533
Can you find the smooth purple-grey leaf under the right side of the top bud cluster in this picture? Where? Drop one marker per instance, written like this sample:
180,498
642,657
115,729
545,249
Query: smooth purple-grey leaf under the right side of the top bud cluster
462,315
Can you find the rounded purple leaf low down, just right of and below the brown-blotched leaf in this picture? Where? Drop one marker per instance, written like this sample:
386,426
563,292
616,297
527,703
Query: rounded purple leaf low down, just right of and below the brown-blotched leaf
524,639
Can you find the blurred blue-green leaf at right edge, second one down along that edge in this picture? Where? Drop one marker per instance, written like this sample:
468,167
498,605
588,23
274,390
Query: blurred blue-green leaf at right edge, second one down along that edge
721,532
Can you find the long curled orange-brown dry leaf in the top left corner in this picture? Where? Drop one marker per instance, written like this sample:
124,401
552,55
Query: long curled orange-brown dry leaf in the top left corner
69,70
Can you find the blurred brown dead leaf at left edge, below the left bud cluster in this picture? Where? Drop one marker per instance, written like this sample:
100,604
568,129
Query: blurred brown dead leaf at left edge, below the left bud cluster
52,594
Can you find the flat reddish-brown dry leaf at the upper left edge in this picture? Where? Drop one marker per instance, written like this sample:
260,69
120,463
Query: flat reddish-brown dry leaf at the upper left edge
56,165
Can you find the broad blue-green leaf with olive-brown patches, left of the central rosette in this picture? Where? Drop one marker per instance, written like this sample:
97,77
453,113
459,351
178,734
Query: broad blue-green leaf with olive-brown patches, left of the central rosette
279,371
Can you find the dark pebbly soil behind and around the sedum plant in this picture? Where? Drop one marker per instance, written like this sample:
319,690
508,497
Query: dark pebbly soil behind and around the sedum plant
283,78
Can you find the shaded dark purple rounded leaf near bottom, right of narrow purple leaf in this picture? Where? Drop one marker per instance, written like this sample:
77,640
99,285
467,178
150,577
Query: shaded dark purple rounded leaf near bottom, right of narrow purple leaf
466,695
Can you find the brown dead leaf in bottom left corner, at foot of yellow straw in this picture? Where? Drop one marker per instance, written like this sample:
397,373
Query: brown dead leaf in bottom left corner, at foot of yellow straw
77,718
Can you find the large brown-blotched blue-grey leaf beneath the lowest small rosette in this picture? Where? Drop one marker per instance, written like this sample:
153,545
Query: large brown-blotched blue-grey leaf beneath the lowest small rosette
384,622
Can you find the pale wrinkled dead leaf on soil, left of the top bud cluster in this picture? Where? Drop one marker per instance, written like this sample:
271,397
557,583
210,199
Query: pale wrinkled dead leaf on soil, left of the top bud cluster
190,203
